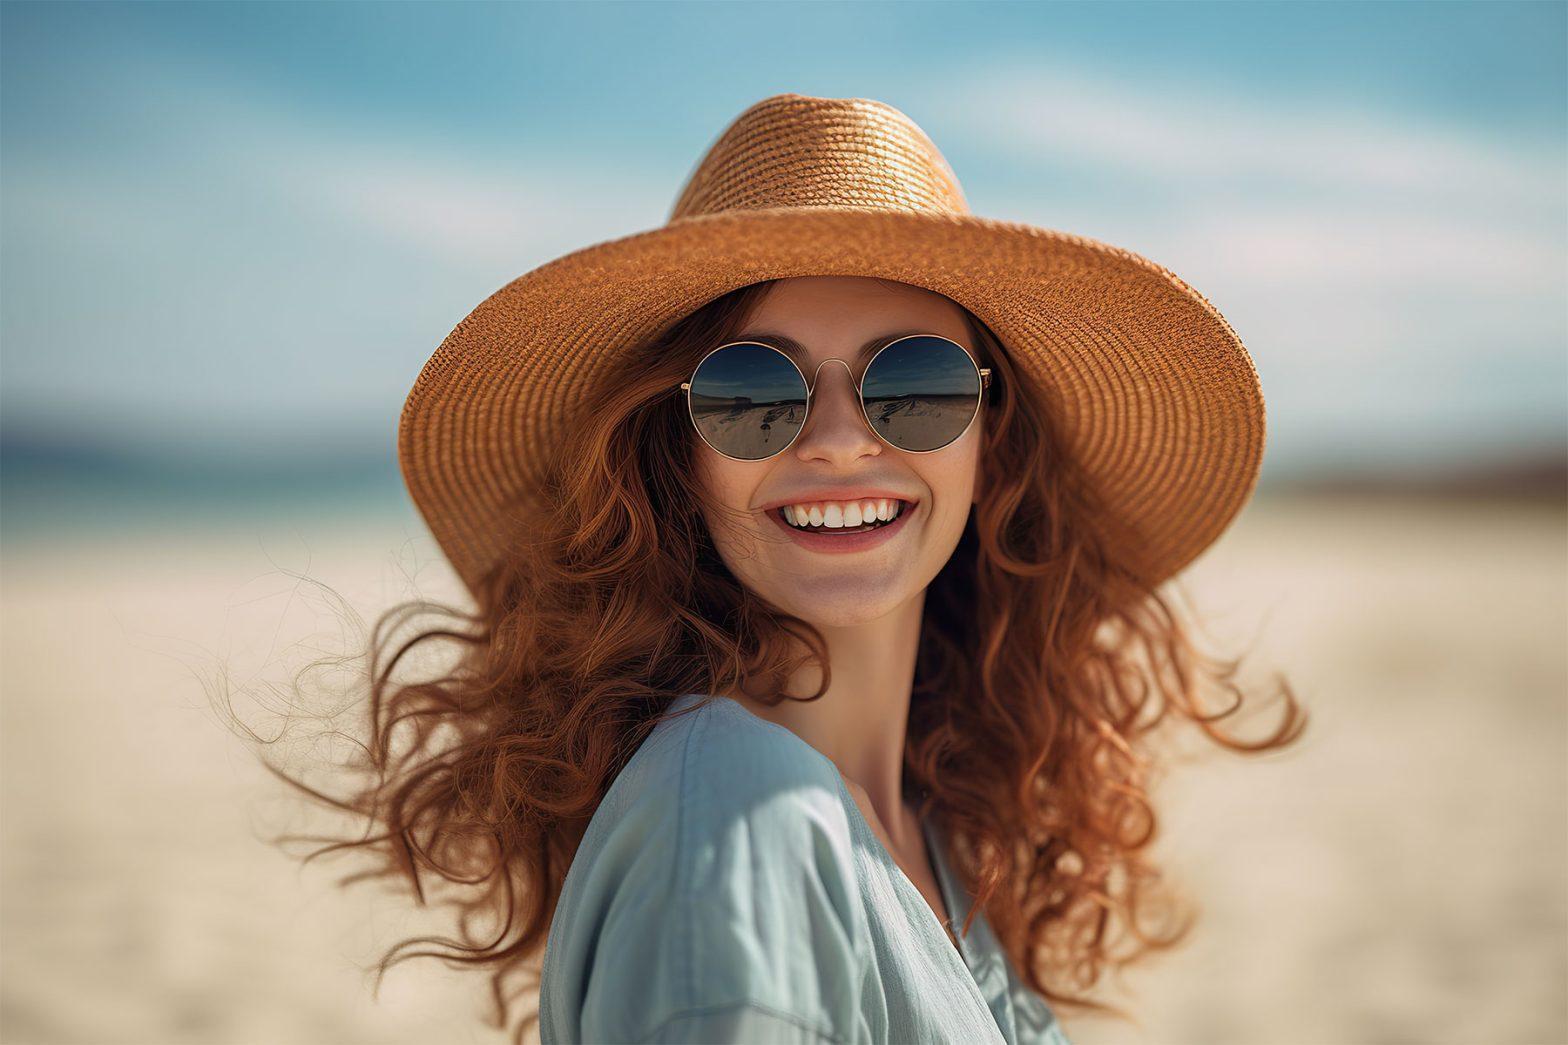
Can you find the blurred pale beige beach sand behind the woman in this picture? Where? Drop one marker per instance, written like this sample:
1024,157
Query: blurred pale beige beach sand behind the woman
1399,876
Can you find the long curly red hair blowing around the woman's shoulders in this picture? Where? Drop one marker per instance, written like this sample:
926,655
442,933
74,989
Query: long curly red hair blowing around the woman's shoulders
1044,672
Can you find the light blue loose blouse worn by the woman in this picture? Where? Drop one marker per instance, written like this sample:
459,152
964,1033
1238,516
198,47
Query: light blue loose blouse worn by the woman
730,890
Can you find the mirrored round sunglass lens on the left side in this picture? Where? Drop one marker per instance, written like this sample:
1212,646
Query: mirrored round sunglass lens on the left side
749,401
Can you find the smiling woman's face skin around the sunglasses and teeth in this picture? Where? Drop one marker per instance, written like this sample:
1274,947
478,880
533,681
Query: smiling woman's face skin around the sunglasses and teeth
832,578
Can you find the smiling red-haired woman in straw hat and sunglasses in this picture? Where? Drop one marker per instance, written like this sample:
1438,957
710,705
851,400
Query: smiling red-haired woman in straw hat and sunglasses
816,542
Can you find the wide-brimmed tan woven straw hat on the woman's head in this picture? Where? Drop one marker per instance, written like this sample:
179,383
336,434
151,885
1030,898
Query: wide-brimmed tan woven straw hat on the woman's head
1155,391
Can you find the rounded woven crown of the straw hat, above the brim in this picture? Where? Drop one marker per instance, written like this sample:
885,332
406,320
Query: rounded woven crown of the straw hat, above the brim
802,151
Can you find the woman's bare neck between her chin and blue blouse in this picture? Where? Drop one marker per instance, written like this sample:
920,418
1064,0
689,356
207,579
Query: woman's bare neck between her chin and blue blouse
863,718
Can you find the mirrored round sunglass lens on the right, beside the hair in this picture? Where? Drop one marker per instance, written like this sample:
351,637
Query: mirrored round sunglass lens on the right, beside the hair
921,393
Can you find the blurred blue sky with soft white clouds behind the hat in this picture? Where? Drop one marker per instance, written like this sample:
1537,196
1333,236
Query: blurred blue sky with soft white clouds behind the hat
233,230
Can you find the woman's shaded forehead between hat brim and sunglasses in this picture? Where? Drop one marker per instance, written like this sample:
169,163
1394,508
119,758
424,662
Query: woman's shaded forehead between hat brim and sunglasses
832,316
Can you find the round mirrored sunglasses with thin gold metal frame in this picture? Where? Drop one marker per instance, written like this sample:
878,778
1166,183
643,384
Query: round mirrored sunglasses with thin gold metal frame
918,393
